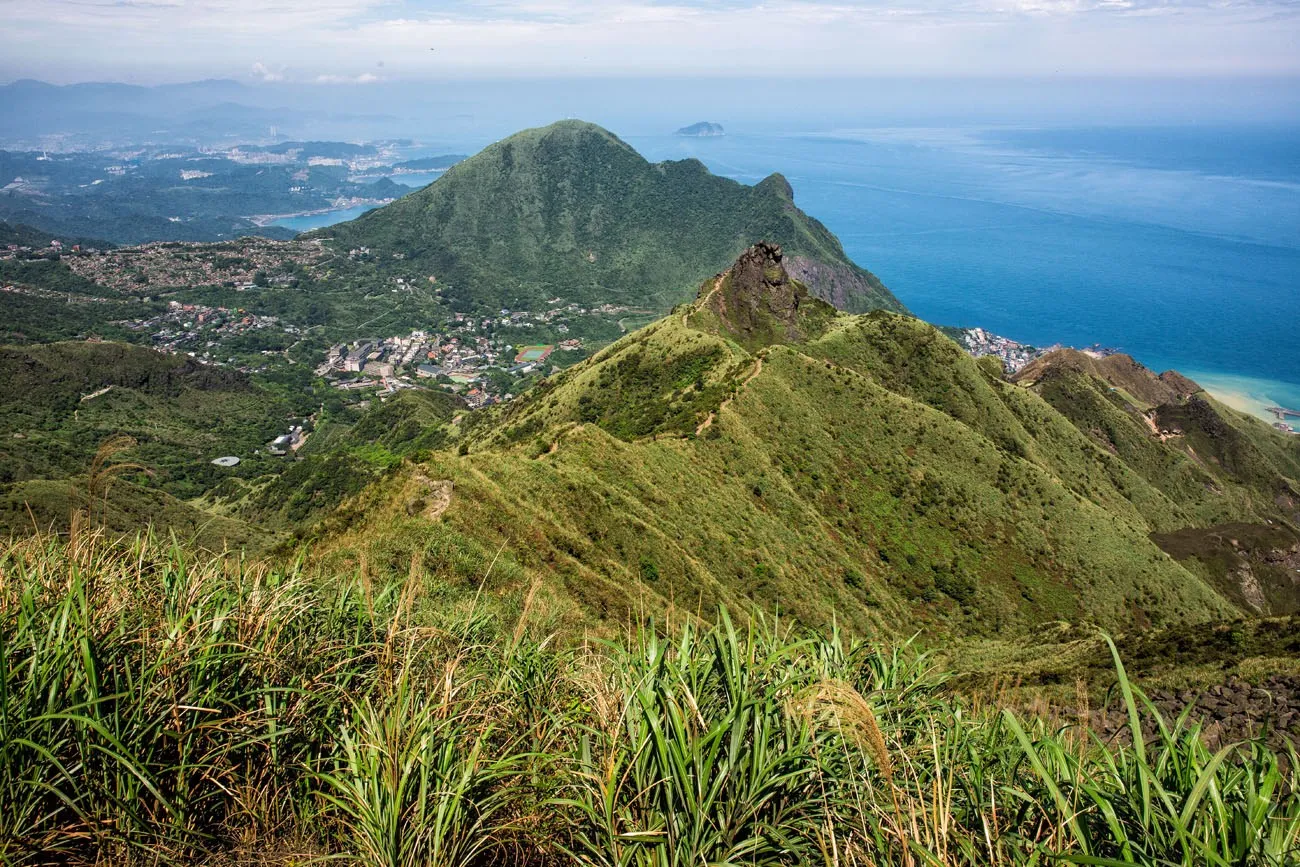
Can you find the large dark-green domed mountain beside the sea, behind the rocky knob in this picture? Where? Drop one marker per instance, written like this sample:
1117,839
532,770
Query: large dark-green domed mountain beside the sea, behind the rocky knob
571,211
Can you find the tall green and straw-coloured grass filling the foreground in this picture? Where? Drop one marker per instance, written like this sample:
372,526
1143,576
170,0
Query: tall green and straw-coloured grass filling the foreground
163,708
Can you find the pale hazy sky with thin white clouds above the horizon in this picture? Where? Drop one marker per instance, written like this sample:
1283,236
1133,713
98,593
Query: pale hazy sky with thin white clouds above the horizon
365,41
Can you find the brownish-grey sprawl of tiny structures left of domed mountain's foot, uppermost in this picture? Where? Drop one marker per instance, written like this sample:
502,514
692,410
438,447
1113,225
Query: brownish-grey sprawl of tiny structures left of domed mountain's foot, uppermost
233,265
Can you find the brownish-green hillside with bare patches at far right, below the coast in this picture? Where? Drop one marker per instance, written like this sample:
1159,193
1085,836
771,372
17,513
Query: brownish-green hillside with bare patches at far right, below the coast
1233,476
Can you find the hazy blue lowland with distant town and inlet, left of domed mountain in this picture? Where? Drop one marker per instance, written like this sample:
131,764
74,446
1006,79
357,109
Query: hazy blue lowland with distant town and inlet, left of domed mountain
185,193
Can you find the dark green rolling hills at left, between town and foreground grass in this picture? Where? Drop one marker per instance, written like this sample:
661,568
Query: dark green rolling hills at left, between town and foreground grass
166,419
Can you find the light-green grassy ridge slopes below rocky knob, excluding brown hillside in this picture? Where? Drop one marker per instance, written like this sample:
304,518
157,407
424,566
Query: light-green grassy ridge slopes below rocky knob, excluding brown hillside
825,479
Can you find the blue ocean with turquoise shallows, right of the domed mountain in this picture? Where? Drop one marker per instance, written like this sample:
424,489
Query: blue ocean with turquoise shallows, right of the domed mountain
1177,245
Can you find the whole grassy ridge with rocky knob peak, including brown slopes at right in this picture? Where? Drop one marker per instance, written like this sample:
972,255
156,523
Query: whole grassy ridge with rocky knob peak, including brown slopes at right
760,449
